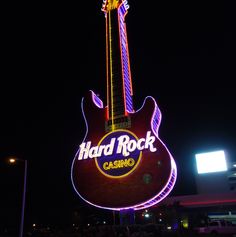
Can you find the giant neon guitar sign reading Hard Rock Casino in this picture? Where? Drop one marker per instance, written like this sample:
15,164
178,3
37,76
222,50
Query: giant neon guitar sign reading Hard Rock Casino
121,163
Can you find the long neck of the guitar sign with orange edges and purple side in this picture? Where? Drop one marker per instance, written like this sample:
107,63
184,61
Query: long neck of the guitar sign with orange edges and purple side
119,87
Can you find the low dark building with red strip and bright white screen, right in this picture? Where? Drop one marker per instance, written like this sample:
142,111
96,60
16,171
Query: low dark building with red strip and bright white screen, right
215,197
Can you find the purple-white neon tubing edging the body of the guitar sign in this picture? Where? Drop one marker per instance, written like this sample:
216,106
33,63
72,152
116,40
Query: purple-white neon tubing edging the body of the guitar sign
153,200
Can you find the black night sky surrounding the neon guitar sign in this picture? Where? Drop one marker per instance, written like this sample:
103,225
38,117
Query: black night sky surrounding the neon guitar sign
182,54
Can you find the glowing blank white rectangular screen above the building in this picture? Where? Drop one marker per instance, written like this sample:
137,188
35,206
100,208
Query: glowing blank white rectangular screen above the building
211,162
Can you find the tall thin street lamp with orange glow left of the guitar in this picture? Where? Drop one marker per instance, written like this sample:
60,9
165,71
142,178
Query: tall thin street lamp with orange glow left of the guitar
12,161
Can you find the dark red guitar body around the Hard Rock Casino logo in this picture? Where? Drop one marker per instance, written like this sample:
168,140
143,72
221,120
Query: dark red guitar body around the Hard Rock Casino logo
146,182
